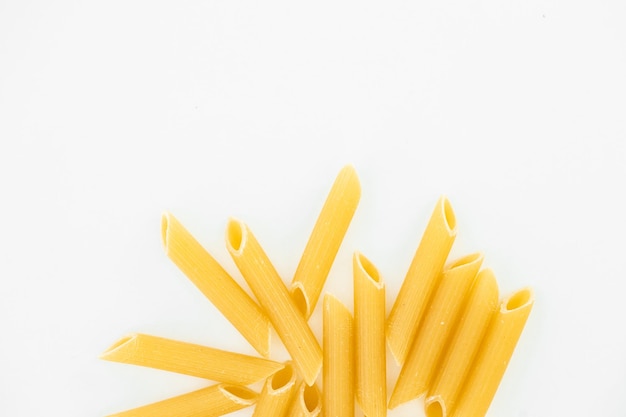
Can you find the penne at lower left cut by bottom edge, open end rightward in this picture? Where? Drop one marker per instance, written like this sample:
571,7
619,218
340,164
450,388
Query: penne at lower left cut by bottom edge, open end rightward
213,401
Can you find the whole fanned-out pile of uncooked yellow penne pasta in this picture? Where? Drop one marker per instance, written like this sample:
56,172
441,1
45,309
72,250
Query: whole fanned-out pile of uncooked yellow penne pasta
448,329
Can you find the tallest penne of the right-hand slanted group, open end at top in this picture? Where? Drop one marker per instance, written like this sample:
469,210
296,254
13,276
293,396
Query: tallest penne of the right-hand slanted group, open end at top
421,279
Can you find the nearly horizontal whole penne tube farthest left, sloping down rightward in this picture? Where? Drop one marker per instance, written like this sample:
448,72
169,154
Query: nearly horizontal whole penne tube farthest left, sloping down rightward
190,359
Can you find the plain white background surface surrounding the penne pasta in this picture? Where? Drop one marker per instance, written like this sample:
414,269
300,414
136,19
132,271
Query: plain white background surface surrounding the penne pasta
113,112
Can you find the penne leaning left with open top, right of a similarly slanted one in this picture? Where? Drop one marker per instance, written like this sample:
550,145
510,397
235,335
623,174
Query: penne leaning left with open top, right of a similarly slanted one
273,295
